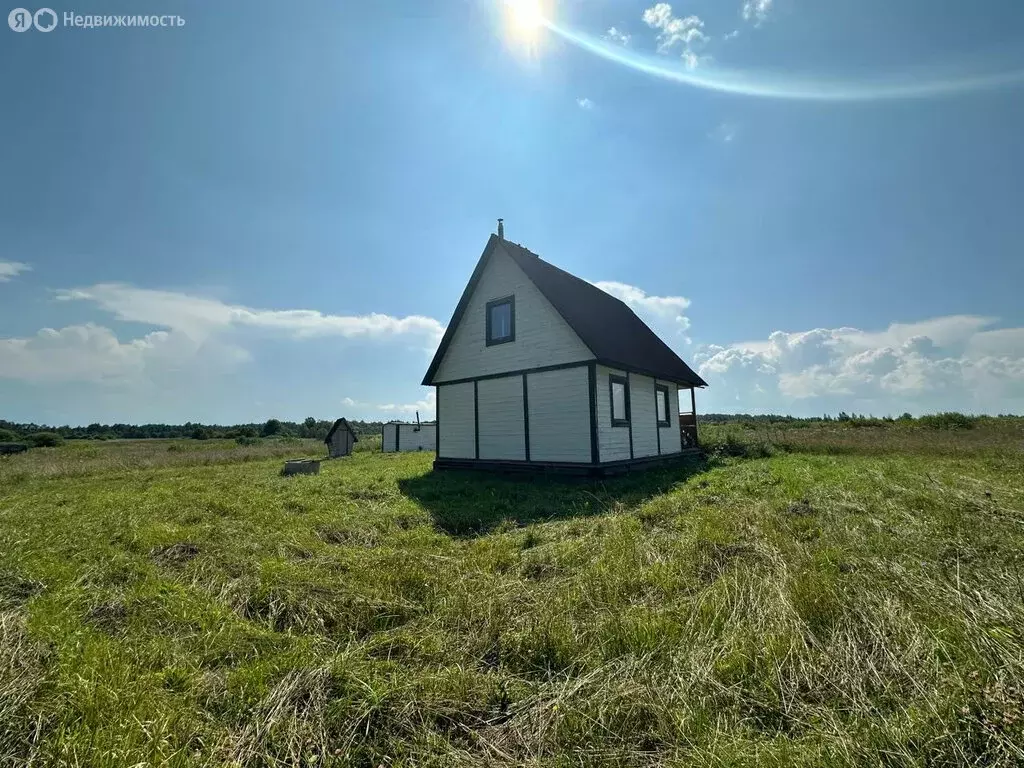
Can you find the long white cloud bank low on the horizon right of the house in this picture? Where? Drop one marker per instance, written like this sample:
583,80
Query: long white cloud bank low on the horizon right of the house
951,363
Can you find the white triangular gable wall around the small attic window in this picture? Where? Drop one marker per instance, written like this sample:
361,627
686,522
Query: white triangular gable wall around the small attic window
542,337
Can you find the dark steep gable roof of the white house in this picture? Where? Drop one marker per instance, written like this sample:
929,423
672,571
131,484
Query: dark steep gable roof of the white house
613,332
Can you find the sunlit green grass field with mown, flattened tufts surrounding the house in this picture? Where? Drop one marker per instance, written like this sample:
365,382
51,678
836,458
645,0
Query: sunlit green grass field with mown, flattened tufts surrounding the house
829,599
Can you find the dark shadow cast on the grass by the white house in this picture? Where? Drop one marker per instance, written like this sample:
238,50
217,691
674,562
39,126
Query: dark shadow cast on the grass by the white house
470,503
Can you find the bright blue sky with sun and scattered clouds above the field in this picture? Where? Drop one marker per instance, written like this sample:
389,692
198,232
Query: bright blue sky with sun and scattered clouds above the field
272,214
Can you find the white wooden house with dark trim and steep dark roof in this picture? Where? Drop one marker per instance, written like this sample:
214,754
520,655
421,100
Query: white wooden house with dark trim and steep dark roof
541,370
